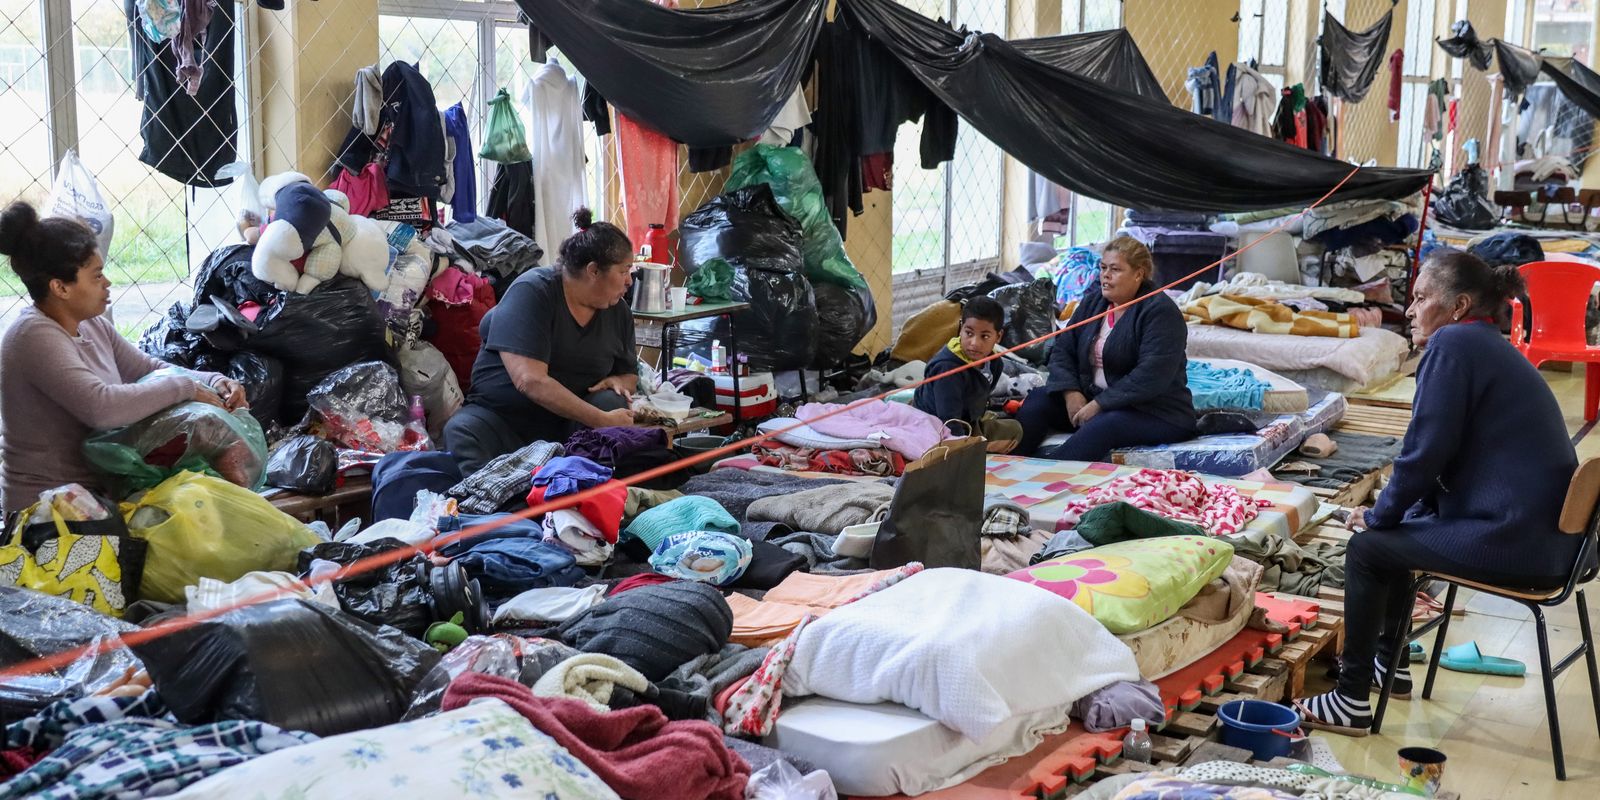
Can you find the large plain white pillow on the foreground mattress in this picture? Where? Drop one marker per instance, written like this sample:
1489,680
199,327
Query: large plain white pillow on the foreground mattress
966,649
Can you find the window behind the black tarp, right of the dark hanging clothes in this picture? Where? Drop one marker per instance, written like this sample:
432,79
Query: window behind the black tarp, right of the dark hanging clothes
951,215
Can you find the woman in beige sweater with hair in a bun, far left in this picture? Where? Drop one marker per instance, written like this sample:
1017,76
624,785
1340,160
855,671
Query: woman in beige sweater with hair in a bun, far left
65,372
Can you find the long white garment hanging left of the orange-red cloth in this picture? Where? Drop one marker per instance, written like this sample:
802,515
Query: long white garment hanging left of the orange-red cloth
558,143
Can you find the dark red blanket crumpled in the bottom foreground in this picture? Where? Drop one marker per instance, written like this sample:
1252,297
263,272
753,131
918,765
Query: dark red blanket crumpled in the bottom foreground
636,751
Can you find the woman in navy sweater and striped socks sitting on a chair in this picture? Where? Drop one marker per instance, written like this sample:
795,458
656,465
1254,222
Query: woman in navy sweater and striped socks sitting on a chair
1478,487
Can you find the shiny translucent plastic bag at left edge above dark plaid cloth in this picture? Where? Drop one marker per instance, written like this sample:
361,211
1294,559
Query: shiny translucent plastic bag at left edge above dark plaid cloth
36,625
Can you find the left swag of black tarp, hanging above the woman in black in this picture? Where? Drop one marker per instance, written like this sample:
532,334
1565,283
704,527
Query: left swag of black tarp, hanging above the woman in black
708,78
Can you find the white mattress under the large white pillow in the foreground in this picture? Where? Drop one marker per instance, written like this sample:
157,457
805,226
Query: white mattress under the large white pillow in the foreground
886,750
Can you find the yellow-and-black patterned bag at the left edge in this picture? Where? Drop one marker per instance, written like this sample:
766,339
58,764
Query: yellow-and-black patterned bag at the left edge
92,562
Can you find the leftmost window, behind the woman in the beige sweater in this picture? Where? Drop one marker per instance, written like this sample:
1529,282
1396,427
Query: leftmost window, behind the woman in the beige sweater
162,228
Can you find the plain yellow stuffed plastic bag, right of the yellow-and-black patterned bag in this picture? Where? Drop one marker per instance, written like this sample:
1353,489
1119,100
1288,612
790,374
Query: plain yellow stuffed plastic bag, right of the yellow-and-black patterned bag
206,527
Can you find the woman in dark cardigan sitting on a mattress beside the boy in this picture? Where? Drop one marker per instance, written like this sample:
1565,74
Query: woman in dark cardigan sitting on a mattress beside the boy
1119,382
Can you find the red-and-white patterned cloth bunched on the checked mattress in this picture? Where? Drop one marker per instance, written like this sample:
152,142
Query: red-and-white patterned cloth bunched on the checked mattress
1175,495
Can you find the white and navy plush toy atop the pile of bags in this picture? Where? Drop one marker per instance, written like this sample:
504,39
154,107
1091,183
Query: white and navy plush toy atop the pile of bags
316,226
